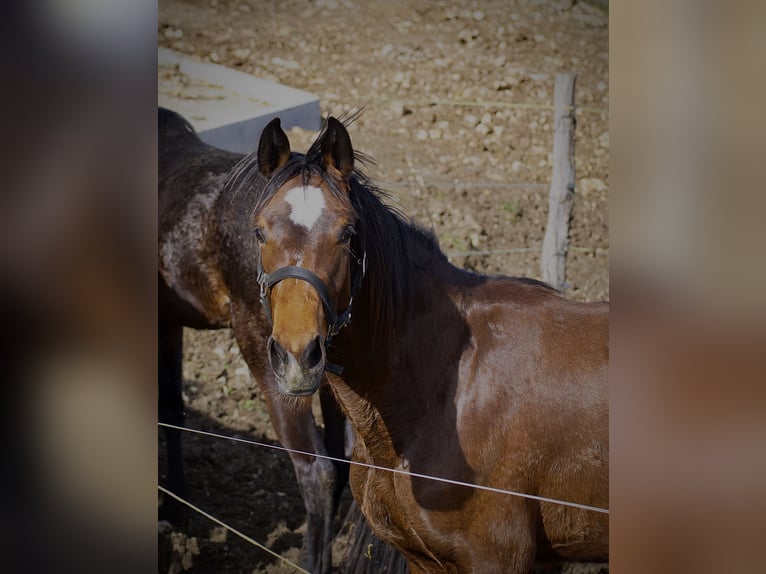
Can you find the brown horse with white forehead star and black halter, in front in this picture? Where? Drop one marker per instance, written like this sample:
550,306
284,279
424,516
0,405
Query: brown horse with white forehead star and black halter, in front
494,381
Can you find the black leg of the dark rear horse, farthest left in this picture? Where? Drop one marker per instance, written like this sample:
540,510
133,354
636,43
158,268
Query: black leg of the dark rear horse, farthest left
171,408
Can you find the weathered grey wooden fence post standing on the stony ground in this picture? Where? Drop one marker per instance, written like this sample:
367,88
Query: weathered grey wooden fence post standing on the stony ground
561,195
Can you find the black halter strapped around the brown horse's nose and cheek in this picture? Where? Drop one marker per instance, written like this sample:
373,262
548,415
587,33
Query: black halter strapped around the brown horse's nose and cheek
335,321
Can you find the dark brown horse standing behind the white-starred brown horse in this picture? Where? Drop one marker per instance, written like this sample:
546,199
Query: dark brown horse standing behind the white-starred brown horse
207,280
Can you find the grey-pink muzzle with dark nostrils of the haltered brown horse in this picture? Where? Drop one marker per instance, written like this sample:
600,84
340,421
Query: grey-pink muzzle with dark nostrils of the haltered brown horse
297,376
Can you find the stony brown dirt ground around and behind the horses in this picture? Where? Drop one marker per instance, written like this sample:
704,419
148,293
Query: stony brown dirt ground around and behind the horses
440,83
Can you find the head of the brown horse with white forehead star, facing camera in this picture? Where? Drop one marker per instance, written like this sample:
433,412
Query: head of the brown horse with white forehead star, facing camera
309,269
